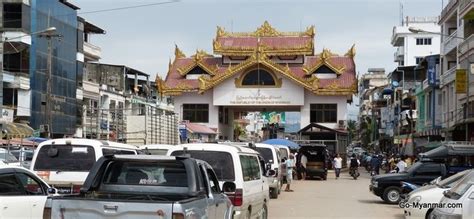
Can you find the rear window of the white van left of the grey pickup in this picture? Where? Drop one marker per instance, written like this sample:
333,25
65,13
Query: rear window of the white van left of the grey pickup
65,158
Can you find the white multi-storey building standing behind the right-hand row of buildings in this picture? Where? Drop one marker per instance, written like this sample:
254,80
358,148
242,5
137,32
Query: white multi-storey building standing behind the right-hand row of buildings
412,47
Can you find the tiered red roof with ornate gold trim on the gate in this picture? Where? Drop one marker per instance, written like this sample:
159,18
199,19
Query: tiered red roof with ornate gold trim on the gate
259,47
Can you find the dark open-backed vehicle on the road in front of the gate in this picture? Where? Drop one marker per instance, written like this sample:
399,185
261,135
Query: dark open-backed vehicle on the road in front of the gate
318,159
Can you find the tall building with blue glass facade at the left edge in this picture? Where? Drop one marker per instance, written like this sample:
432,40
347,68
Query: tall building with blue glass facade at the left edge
25,63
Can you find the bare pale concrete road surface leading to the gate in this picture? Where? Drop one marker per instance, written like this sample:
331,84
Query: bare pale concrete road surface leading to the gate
342,198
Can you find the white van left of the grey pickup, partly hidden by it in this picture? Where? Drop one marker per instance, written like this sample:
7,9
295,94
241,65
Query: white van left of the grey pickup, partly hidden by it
65,163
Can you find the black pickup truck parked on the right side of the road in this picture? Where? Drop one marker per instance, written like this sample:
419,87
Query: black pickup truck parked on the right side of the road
388,186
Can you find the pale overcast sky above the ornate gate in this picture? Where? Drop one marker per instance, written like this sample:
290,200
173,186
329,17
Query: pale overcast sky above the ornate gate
144,38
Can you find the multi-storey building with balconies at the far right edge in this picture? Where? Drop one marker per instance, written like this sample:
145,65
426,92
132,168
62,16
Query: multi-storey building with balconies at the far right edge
456,54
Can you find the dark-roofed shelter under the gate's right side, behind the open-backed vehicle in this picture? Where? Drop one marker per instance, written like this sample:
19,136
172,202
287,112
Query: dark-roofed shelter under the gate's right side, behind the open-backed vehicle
335,140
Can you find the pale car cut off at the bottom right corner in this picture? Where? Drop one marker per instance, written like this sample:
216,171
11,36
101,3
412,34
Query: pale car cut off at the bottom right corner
458,202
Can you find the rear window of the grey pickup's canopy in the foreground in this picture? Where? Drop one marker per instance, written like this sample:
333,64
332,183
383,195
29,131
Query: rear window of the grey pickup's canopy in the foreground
160,173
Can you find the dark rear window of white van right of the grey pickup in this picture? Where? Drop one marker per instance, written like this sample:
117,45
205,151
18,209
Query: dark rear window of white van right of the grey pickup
221,162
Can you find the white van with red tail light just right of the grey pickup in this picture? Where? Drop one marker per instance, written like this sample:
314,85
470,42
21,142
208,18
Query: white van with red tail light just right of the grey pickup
239,165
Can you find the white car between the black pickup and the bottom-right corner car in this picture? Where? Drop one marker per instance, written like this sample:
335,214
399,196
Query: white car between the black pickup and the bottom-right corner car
429,194
